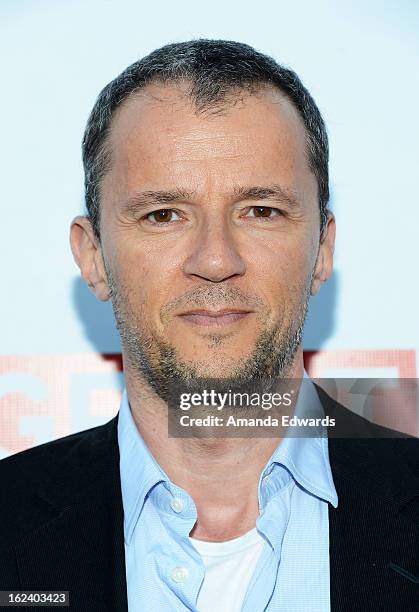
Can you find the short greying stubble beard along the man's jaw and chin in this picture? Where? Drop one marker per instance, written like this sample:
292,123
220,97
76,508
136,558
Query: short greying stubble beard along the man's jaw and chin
159,365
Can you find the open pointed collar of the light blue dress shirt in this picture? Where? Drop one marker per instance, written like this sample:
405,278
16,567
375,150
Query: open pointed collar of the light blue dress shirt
305,458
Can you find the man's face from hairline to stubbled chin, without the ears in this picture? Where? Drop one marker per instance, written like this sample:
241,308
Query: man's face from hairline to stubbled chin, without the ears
210,234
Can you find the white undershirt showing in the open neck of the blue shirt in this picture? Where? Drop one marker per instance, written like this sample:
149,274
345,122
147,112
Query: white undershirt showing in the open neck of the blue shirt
229,567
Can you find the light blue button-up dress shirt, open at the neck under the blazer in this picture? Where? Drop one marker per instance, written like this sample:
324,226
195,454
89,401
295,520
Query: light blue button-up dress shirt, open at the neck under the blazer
164,571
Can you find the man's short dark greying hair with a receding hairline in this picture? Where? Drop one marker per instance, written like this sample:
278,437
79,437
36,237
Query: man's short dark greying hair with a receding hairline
217,70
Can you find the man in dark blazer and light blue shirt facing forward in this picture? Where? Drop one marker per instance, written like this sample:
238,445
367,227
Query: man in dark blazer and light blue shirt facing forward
207,187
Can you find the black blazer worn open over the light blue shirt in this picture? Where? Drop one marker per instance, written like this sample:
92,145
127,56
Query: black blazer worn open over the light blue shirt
61,519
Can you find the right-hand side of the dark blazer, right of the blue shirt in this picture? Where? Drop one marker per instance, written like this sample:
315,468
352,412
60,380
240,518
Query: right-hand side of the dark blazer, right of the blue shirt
374,530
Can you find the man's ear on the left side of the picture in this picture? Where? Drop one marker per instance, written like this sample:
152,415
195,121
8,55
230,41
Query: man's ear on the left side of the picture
88,256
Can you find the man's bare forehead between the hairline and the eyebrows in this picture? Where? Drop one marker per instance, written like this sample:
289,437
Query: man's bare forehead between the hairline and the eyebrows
158,137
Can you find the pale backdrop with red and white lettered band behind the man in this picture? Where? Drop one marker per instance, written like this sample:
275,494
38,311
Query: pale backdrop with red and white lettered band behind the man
60,367
